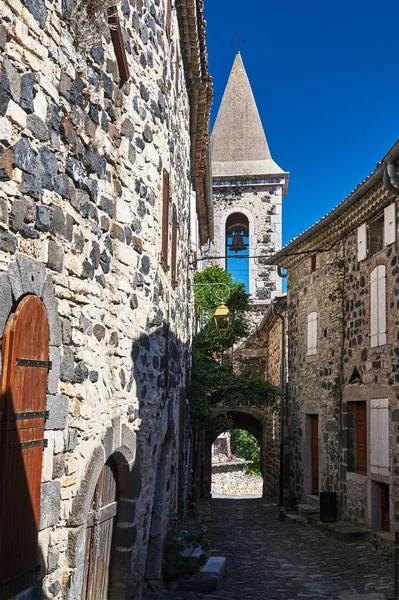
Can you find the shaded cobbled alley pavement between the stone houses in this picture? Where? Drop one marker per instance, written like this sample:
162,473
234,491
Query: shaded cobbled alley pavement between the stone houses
272,560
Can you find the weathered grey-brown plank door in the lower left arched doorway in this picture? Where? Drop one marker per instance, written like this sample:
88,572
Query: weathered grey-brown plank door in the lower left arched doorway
100,534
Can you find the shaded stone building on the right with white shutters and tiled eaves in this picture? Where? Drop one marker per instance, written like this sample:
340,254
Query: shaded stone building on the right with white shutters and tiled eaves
343,332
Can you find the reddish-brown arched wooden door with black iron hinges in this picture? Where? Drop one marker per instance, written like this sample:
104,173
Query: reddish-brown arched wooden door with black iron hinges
25,351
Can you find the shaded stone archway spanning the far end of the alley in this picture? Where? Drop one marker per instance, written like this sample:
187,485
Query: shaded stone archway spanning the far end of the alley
257,422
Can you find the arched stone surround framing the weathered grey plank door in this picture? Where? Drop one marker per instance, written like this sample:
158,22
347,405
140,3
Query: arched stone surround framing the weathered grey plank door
125,462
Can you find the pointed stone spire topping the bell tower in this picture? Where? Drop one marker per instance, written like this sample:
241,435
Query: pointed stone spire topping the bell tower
239,145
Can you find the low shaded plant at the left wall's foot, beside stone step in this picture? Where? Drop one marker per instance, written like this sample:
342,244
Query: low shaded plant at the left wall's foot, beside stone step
179,545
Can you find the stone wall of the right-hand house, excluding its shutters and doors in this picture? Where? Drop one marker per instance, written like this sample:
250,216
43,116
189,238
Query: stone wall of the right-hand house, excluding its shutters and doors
345,369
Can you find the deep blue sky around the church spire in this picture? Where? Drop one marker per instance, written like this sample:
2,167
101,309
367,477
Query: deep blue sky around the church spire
326,80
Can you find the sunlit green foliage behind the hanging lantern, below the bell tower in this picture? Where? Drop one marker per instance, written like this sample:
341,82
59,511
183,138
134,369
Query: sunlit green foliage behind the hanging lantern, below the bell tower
208,298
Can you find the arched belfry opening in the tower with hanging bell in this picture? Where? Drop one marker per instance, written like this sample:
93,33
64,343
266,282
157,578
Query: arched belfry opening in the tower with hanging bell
237,248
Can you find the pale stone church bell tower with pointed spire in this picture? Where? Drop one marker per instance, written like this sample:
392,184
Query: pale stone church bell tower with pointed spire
248,190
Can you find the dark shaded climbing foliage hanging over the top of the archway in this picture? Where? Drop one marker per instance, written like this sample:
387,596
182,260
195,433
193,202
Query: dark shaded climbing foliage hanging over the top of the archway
214,385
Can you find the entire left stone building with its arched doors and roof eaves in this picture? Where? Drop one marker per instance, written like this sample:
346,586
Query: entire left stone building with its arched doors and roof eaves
104,198
